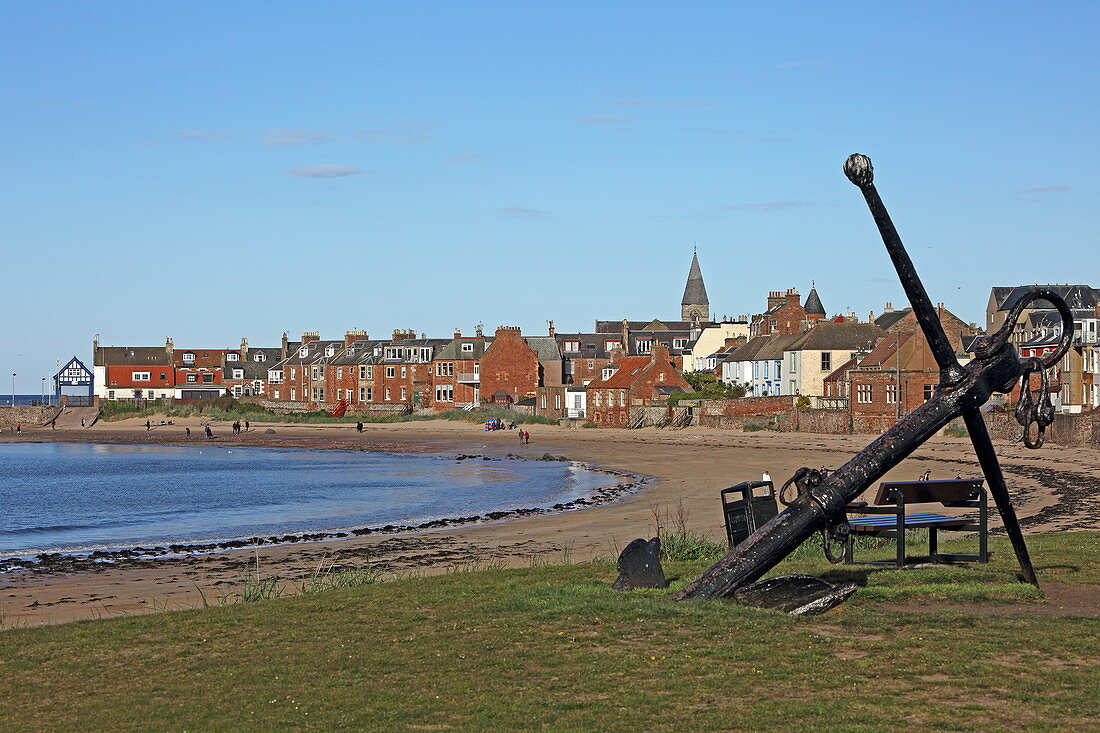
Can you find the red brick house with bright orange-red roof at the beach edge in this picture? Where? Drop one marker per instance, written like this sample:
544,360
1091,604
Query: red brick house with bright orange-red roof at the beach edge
633,382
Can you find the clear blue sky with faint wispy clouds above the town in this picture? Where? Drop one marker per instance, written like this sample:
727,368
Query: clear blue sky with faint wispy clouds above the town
210,171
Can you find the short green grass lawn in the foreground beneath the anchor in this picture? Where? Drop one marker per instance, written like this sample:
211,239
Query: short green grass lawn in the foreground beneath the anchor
553,648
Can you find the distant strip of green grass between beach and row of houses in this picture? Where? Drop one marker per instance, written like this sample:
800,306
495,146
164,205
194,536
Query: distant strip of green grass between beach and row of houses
228,410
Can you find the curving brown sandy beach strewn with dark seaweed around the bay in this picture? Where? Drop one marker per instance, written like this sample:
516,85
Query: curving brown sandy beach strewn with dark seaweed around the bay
1054,488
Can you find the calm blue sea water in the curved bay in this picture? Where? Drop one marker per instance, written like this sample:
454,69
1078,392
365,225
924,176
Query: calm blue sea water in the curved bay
78,498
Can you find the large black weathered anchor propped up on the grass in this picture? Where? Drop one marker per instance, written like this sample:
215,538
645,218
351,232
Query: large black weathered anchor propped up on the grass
821,501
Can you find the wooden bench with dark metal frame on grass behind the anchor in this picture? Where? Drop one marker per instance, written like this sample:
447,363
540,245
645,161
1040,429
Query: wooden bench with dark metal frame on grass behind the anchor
894,501
